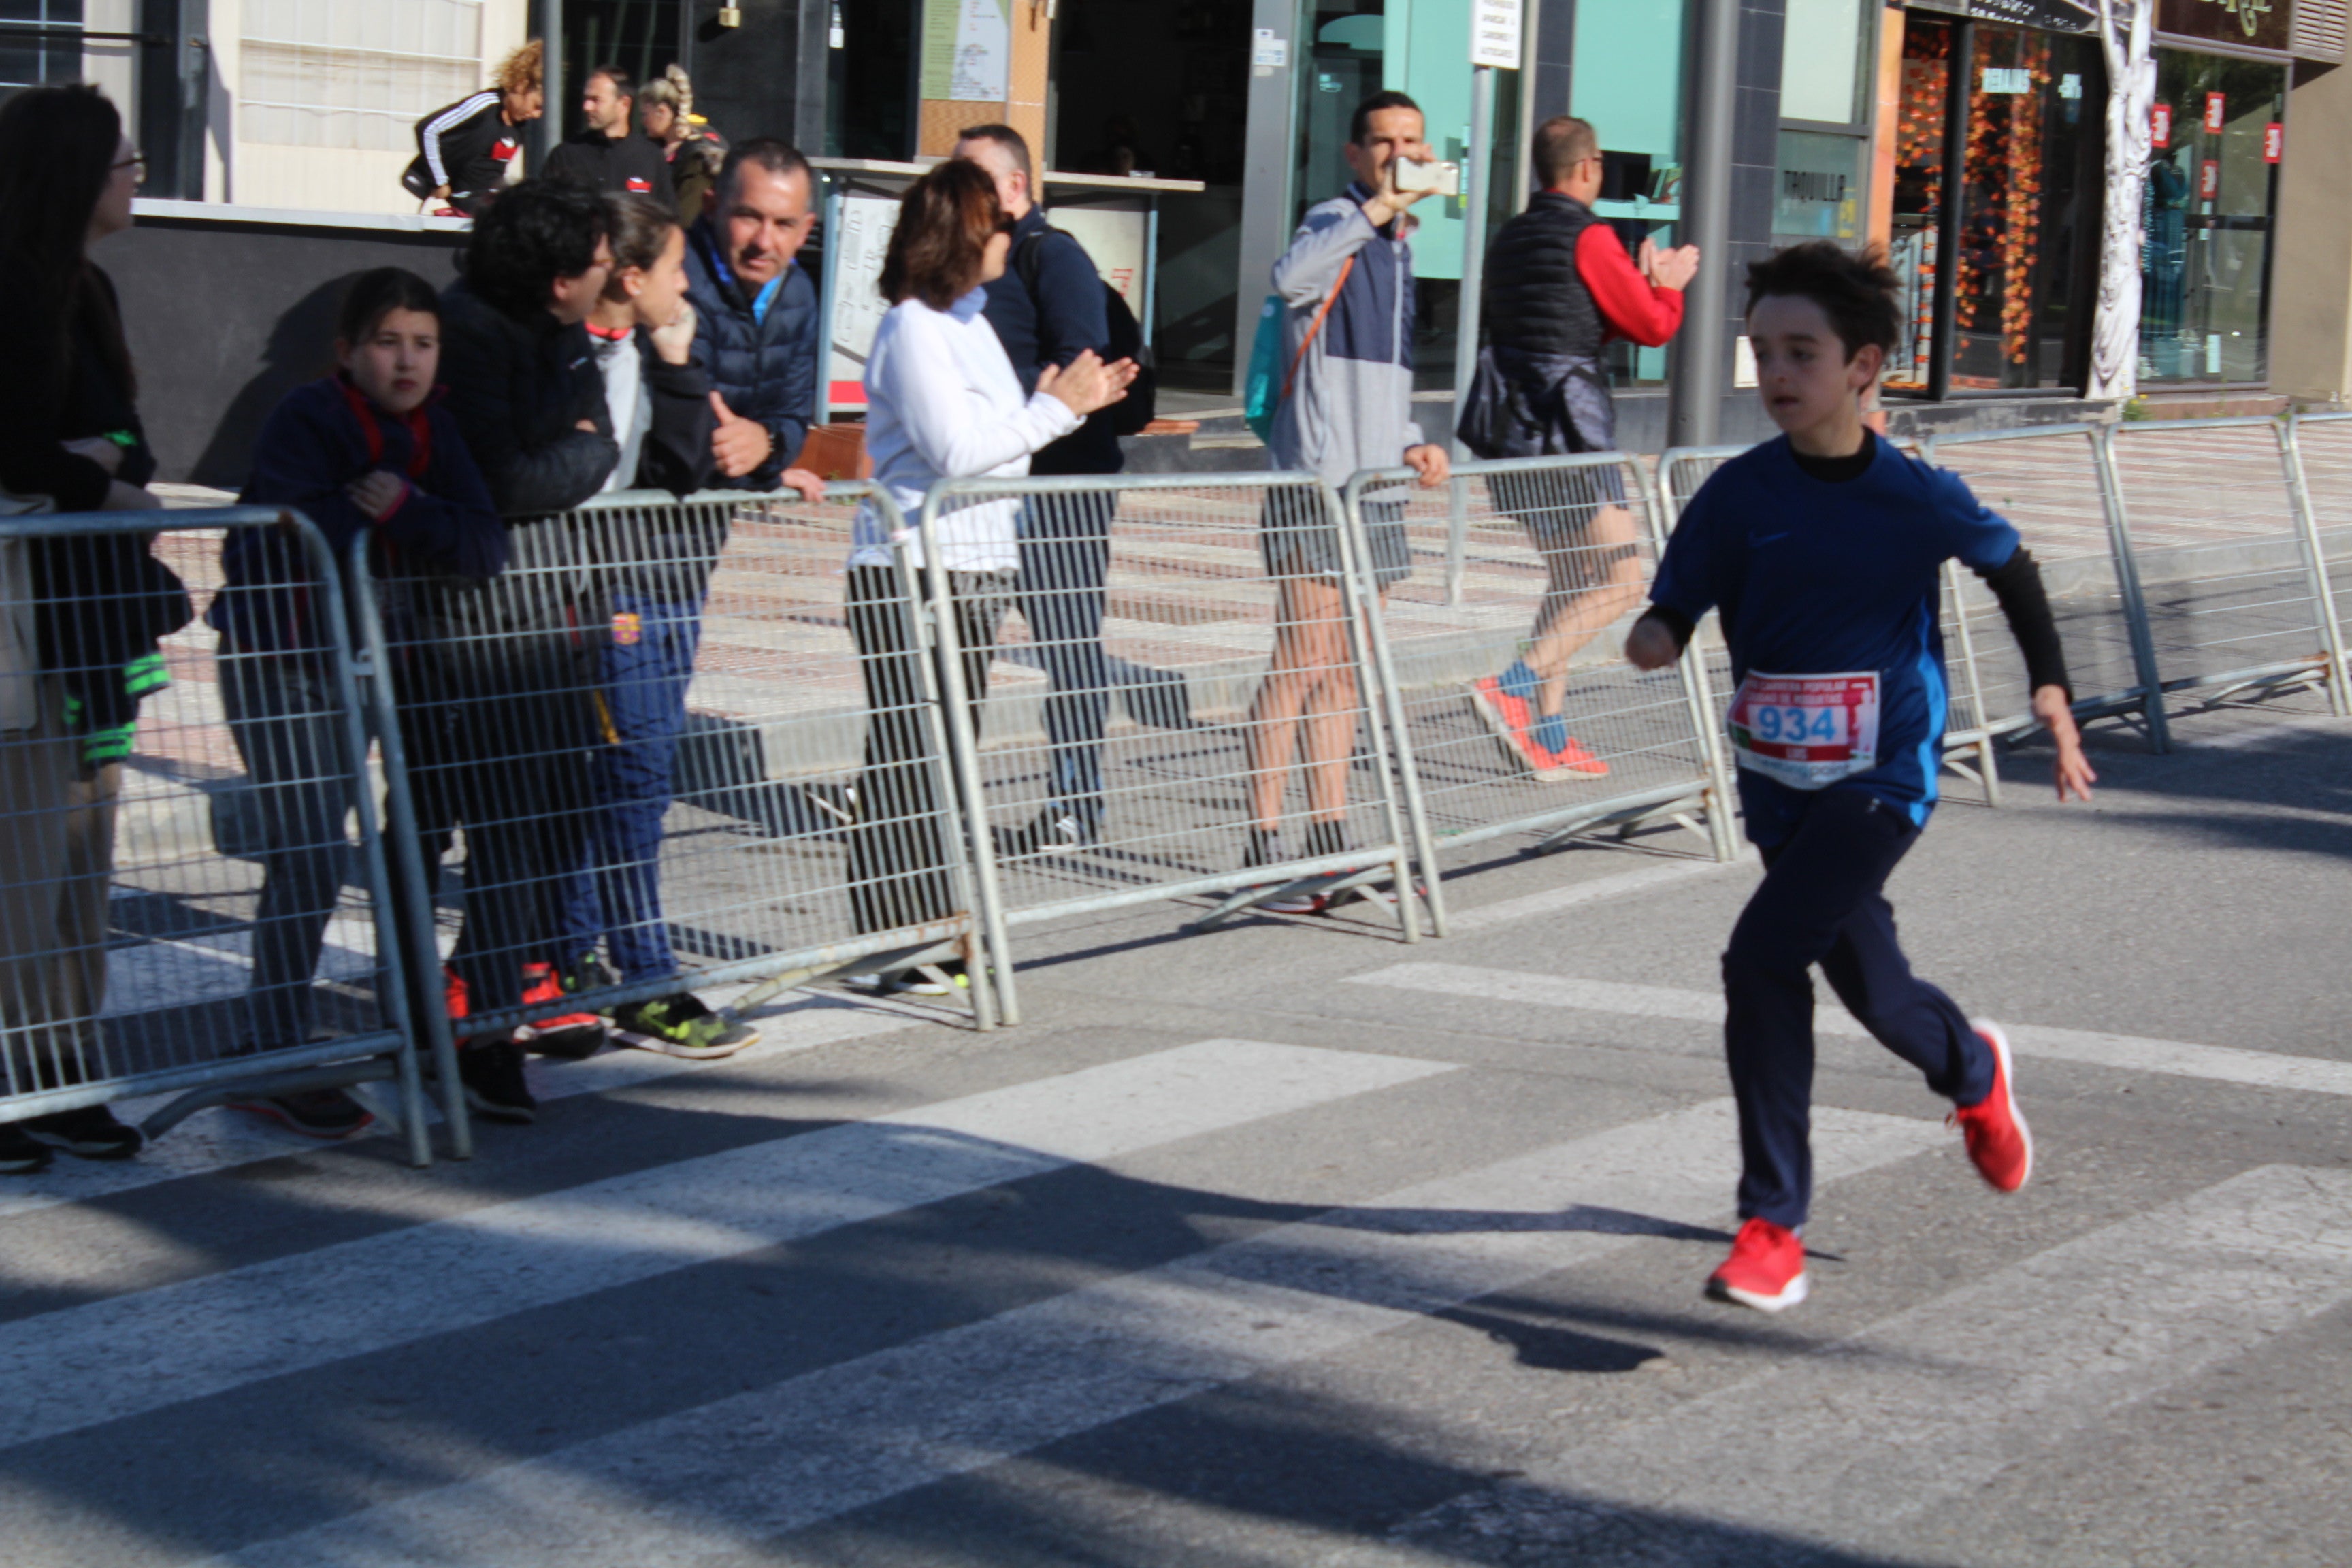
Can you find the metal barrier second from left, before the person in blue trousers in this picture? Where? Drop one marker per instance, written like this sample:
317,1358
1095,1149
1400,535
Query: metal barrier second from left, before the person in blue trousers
681,756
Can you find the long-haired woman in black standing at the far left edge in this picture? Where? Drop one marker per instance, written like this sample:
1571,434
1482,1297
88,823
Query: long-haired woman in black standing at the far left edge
79,617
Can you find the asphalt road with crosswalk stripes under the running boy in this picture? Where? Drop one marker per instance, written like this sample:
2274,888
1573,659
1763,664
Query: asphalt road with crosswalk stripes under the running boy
1297,1245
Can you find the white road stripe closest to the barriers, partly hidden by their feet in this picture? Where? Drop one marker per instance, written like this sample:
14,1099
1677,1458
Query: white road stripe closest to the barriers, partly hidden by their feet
222,1141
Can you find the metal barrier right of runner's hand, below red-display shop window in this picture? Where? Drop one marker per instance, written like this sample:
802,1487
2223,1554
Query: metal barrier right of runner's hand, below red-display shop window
2231,572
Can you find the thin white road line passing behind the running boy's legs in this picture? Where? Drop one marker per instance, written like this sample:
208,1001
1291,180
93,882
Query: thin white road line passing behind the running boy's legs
2125,1052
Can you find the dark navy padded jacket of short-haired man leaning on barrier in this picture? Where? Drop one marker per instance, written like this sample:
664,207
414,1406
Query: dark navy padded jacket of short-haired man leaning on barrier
766,368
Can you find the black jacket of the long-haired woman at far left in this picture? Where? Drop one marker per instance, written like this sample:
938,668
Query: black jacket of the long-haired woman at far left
102,601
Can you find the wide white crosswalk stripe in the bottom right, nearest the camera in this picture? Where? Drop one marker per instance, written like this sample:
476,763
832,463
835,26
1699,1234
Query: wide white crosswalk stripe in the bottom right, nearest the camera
1939,1400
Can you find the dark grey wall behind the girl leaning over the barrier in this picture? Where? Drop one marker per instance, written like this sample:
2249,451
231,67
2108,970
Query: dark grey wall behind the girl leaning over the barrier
225,319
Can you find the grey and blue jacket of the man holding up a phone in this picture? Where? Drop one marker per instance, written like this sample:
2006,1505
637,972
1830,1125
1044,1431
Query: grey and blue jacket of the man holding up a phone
1354,398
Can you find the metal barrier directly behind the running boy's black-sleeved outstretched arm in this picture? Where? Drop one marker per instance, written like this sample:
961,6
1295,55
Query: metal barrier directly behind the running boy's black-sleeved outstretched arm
2054,483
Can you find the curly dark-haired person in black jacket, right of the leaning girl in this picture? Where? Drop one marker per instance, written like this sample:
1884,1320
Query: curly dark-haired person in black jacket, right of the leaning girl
507,674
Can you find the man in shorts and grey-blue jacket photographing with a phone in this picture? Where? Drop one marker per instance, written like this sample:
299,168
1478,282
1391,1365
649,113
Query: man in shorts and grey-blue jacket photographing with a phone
1347,286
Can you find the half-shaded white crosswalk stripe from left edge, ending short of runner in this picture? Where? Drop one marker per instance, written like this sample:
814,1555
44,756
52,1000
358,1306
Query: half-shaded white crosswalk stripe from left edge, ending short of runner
156,1348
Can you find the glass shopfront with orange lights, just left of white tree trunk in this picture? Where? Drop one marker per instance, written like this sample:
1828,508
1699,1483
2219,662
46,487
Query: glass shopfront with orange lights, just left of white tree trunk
2029,208
